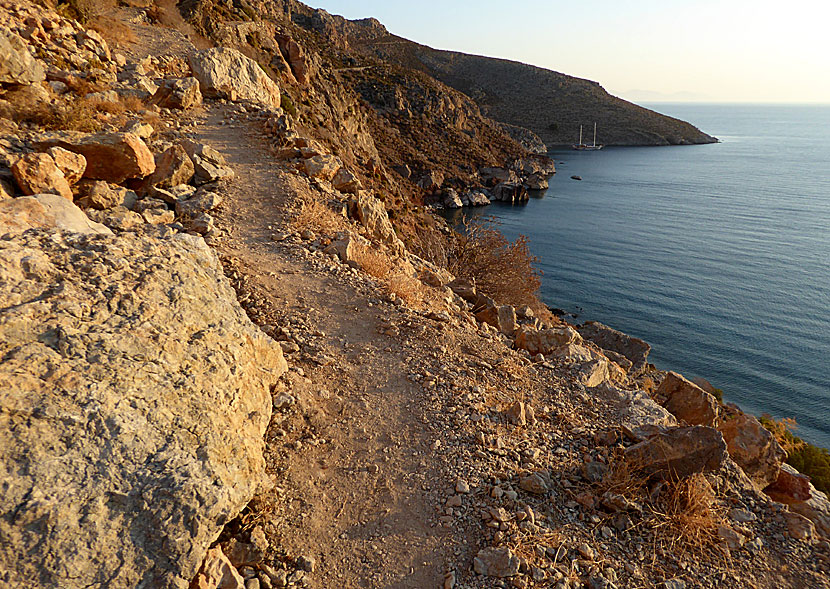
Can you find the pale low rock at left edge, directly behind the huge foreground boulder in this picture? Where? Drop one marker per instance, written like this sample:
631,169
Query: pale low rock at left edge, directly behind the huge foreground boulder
45,211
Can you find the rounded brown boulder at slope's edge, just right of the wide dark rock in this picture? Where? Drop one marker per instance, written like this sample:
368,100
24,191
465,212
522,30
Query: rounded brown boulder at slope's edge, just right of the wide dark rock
752,447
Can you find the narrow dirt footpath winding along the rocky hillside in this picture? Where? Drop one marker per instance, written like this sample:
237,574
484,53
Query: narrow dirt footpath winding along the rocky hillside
355,487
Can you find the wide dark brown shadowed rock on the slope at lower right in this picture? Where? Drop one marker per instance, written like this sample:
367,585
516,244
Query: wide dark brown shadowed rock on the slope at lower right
679,452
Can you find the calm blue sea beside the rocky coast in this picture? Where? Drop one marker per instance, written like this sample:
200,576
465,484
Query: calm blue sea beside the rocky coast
717,255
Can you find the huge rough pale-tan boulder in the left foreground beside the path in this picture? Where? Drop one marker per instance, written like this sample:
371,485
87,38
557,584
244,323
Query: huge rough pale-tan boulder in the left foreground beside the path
133,401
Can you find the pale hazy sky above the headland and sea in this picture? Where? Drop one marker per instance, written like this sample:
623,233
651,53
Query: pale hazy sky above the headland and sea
716,50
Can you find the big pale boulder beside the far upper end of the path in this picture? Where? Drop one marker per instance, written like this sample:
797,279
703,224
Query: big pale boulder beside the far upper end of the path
226,73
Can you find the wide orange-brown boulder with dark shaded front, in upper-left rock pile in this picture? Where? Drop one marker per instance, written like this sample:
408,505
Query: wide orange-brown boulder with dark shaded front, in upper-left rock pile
113,157
